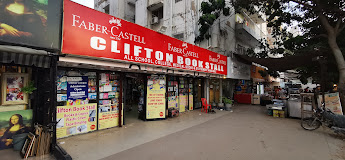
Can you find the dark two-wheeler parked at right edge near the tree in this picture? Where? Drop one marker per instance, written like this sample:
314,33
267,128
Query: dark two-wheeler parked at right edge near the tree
326,117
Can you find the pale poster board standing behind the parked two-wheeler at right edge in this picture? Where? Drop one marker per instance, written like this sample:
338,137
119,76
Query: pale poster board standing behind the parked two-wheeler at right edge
332,102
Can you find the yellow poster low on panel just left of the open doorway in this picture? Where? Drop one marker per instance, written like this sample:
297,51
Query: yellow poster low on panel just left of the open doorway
108,117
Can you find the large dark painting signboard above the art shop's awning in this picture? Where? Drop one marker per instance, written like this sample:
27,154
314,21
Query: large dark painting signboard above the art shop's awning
33,23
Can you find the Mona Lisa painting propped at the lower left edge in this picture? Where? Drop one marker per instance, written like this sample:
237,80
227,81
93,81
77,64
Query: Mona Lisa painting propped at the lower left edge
13,123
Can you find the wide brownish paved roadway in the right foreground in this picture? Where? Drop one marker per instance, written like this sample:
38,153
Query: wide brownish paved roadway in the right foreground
245,134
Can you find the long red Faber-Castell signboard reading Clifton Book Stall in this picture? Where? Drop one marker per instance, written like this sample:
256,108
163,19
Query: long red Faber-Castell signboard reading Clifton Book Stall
88,32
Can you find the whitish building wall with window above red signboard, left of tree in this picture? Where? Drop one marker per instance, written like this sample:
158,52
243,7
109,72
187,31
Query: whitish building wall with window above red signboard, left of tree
178,18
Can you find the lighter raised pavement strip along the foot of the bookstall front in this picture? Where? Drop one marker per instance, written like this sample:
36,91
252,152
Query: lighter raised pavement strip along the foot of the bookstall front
101,144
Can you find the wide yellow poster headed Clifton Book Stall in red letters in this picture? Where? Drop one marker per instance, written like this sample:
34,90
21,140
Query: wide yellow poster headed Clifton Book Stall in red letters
76,119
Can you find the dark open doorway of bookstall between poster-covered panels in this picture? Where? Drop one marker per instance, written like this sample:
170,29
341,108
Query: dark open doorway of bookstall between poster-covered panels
134,97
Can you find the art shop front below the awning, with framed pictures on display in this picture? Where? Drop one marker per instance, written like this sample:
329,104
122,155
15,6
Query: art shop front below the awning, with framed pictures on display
25,95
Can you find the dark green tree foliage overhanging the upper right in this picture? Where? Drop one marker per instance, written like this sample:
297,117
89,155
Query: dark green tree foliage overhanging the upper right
281,14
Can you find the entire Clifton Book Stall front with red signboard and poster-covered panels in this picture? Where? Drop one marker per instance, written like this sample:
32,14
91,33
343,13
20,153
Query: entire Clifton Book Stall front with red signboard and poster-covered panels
115,71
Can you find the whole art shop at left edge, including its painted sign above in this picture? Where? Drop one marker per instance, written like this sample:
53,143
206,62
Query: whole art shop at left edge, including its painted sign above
28,58
